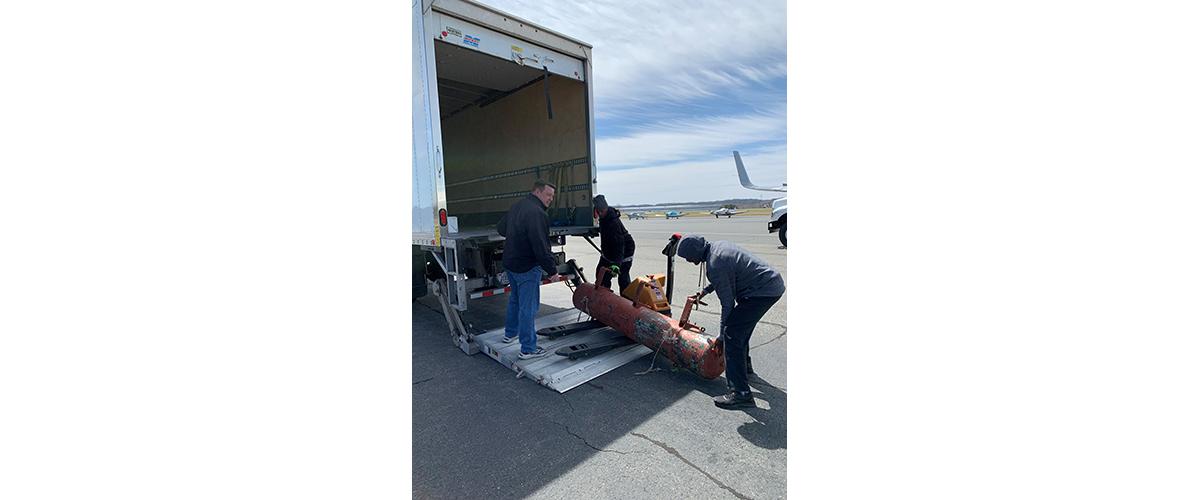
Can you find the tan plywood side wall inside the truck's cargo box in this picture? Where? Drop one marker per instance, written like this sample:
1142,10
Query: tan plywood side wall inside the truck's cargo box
515,136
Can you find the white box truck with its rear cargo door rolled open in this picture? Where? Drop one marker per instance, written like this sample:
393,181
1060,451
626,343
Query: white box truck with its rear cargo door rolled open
499,103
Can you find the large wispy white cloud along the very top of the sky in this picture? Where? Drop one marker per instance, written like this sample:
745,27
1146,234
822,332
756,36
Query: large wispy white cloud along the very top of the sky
659,51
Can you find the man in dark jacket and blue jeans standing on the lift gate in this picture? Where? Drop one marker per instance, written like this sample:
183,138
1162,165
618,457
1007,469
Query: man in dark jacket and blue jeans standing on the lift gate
527,257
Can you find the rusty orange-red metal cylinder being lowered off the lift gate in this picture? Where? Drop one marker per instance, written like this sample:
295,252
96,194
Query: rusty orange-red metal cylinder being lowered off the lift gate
685,347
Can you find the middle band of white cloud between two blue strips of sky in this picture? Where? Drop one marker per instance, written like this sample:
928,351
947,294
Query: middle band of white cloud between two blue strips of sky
694,138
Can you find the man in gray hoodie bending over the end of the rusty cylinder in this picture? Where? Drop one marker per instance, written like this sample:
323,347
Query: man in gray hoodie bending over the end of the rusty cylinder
747,288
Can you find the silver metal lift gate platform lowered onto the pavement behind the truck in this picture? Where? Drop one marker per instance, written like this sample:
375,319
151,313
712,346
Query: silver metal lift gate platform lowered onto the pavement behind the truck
560,372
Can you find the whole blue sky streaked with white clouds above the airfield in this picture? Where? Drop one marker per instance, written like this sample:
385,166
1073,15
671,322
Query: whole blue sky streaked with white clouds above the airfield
679,87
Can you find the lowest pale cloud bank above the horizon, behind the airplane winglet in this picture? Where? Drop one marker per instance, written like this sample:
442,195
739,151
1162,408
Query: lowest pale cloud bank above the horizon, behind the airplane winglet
695,182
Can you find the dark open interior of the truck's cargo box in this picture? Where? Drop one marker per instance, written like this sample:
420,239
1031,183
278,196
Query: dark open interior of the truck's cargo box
503,126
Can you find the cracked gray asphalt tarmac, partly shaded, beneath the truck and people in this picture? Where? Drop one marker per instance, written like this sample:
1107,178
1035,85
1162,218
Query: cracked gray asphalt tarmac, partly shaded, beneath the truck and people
478,431
